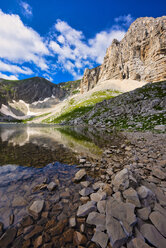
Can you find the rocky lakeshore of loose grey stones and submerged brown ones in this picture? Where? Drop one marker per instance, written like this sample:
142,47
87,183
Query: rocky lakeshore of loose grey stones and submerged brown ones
125,206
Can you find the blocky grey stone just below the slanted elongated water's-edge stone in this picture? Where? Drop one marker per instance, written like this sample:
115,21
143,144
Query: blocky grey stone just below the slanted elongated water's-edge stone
96,219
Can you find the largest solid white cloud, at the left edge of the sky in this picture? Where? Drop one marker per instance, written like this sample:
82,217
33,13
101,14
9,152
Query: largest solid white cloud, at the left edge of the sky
19,43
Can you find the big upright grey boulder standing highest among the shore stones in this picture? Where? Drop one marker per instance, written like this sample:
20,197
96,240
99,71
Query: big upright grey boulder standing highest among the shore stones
121,180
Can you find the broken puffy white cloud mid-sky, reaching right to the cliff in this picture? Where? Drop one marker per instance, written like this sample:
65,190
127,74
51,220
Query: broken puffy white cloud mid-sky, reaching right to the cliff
75,52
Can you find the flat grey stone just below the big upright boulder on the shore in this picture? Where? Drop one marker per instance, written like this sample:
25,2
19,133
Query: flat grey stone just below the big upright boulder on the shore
131,196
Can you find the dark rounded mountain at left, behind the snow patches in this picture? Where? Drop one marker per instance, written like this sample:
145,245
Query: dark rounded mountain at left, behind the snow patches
29,90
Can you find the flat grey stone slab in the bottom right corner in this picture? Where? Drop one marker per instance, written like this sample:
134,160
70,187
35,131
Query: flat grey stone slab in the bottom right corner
152,235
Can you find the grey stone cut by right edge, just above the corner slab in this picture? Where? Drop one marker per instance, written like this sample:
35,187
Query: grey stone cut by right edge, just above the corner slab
159,221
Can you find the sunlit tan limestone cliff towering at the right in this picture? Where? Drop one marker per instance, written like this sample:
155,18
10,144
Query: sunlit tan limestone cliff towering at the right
140,55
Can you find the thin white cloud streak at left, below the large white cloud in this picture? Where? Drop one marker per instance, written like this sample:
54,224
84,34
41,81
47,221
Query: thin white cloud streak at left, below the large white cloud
14,68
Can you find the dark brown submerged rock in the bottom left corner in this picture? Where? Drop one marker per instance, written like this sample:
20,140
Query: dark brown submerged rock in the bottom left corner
8,237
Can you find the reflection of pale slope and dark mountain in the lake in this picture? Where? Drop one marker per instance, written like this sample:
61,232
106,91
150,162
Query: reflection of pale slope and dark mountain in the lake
39,145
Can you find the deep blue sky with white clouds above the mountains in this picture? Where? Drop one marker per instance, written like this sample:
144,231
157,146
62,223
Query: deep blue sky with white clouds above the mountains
58,39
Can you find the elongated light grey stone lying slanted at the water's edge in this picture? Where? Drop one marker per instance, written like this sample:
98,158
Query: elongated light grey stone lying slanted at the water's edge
85,209
